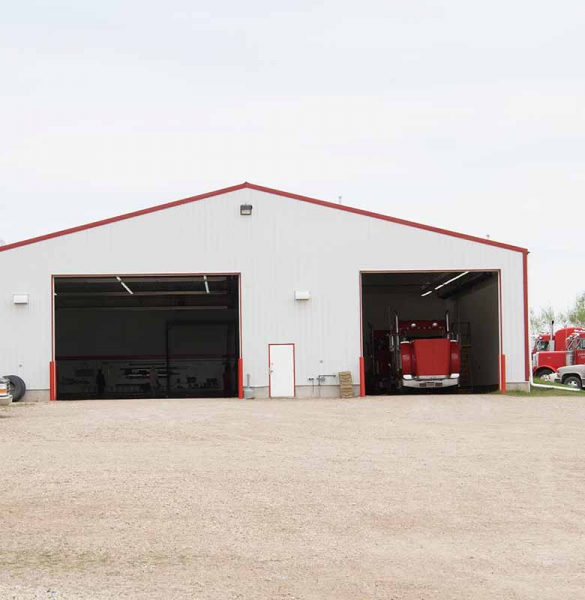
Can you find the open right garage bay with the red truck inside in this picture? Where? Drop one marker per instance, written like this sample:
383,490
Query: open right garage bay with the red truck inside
431,330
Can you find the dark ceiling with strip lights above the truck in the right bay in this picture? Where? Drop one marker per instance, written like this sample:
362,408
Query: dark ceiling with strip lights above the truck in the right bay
451,282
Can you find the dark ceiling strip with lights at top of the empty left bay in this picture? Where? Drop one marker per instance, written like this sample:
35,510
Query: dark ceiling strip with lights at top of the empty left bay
195,292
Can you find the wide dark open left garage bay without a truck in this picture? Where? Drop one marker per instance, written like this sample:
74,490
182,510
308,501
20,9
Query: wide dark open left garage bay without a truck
140,337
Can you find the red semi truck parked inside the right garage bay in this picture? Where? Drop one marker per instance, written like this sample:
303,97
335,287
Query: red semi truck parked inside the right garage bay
419,354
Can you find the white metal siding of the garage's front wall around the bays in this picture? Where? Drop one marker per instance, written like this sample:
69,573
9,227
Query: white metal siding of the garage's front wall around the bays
284,246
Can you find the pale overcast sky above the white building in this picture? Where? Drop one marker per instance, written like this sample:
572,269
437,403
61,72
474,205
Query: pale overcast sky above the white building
464,114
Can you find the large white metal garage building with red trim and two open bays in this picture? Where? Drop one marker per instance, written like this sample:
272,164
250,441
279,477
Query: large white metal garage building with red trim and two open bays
197,297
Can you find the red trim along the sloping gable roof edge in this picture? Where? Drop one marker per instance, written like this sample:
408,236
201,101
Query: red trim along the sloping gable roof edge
260,188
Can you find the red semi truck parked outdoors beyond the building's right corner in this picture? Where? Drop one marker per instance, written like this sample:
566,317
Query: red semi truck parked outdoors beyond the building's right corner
567,348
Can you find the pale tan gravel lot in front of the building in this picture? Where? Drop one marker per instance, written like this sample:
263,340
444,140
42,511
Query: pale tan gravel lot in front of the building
414,497
